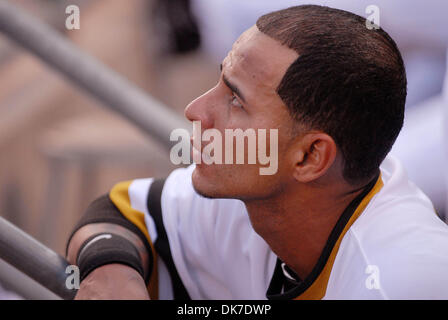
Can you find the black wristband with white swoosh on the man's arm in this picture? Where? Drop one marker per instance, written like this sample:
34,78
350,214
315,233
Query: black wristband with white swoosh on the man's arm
107,248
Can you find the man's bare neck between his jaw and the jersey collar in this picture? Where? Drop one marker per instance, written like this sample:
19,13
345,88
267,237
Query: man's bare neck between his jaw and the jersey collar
296,225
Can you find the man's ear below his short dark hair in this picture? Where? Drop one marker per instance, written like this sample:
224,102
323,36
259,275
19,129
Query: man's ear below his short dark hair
315,154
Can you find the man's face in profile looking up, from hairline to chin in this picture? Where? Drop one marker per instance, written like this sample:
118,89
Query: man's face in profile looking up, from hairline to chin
245,98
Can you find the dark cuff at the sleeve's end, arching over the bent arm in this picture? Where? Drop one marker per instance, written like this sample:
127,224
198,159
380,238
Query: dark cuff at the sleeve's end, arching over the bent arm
103,210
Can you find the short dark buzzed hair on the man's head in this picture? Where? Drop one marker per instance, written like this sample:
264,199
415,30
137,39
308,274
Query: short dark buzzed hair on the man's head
348,81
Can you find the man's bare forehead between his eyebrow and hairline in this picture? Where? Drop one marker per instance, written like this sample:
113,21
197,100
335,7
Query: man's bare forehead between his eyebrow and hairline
259,58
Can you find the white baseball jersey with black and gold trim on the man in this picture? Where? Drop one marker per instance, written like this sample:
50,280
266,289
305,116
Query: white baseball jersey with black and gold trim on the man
388,244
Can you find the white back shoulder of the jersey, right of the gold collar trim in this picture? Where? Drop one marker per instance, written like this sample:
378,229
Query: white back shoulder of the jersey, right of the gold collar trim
400,237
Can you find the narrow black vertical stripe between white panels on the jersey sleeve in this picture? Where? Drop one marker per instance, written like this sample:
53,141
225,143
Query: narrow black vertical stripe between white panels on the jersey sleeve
162,245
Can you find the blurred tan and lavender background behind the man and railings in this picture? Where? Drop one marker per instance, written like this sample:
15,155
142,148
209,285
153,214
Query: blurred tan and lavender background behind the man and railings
61,149
